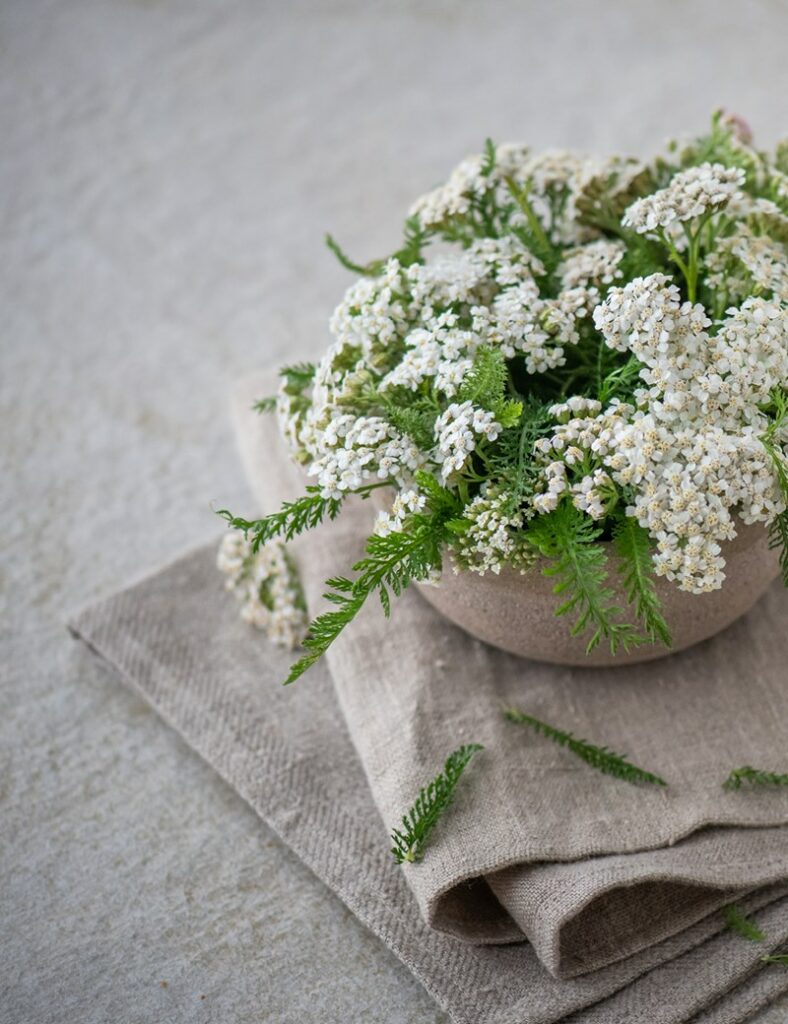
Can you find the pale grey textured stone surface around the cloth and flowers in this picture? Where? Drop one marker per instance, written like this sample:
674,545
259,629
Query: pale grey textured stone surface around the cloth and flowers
167,170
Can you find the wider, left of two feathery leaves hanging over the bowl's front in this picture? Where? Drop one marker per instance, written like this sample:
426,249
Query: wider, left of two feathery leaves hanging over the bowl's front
568,540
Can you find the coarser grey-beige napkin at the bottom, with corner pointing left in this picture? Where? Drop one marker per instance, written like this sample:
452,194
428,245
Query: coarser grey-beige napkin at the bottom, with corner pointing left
178,639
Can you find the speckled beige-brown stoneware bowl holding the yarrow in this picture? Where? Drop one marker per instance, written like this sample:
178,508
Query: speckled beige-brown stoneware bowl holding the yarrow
517,613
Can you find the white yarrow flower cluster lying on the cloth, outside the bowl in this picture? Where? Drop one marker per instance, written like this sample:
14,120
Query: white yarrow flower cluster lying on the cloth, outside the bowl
267,584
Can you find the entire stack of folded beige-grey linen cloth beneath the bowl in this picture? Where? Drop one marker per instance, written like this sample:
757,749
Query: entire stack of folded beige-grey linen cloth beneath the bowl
537,845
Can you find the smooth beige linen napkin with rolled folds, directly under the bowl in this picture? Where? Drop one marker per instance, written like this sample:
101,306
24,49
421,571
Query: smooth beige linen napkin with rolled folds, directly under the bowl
590,869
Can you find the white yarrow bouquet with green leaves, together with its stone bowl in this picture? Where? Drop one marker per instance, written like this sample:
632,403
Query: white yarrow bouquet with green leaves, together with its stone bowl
571,380
